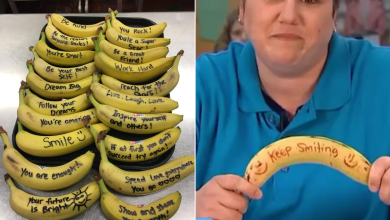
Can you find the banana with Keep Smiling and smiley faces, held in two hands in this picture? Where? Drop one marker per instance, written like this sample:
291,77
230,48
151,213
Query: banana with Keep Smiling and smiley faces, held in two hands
307,149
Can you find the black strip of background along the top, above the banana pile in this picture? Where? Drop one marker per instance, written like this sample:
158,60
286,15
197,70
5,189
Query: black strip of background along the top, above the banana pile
96,6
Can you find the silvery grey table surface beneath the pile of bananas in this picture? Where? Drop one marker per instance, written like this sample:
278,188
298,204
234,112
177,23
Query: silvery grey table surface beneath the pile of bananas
18,32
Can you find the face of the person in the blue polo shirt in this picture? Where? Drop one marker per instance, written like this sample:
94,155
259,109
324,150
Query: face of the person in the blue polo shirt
288,31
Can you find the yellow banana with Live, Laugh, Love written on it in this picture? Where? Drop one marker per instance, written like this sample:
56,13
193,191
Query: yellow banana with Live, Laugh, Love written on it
130,103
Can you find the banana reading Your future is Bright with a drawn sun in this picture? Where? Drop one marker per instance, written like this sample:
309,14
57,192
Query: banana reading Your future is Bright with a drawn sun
52,208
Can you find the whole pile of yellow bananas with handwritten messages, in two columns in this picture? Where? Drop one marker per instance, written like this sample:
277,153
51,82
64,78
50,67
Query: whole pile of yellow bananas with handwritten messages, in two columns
99,80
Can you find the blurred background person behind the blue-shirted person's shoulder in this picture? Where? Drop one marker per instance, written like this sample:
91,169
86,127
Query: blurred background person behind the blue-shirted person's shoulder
232,31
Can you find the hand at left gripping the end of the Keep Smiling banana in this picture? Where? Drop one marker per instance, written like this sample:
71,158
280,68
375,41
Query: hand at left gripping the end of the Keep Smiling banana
222,198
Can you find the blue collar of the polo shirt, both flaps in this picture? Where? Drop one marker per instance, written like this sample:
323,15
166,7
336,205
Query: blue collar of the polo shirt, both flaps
332,90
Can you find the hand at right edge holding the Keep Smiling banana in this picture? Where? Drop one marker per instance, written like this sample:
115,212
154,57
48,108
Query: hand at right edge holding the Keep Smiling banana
379,178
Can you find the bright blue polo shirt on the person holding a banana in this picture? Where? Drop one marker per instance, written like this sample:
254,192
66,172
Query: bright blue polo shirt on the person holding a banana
350,103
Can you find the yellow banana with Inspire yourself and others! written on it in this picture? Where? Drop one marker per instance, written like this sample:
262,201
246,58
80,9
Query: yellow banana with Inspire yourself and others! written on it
133,122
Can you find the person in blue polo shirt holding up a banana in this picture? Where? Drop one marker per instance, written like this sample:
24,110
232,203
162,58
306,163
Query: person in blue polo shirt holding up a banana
294,76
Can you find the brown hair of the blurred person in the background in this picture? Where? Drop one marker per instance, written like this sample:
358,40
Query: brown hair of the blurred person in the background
224,38
